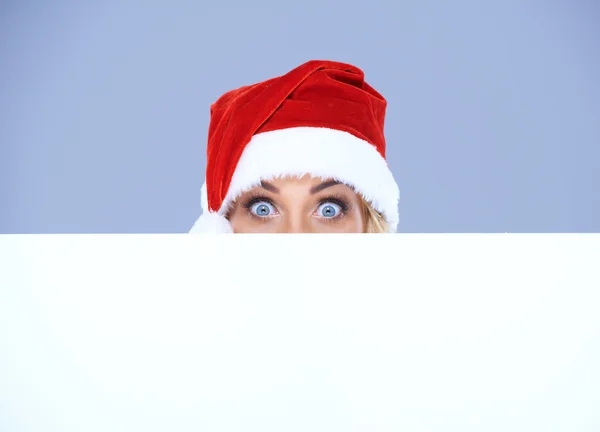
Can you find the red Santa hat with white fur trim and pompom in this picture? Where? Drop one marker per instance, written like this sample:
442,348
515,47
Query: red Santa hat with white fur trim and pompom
321,119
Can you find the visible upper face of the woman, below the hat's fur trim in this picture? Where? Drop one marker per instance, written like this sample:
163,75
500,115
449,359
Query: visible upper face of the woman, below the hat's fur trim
305,204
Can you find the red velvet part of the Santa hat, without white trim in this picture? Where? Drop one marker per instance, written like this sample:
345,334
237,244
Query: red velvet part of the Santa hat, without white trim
316,94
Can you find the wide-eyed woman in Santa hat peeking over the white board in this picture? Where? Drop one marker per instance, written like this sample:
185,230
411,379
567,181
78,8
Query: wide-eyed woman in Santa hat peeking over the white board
300,153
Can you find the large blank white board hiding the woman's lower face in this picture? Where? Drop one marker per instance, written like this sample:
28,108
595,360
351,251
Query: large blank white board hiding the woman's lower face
300,333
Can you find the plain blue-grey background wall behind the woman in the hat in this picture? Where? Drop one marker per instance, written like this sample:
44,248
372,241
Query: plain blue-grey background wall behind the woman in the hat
493,122
